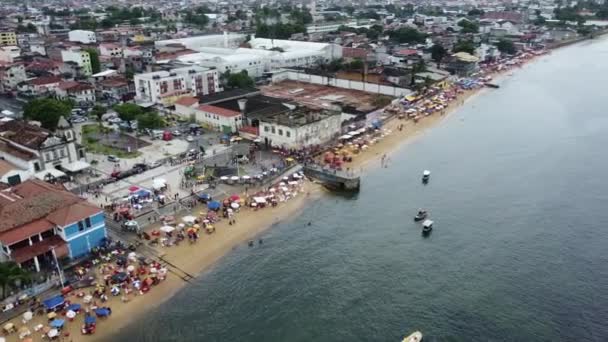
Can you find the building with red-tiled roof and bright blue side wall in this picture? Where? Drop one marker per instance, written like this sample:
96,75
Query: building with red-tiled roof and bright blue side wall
40,222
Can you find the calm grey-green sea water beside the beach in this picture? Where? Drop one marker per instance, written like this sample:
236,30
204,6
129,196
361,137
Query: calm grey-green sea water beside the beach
519,252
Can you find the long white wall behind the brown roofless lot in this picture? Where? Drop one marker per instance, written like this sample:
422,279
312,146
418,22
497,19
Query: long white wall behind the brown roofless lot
339,83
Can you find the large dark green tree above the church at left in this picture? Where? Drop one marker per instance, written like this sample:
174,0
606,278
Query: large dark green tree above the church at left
47,111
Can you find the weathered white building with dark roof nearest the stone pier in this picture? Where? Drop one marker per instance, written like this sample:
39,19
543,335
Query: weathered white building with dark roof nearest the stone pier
300,128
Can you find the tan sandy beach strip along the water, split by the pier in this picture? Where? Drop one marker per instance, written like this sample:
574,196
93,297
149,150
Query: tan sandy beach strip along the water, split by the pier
200,257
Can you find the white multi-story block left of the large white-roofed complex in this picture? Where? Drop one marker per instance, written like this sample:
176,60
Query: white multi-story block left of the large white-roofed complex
165,87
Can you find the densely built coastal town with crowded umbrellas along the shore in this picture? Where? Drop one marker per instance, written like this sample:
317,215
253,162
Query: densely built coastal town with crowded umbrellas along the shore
116,118
